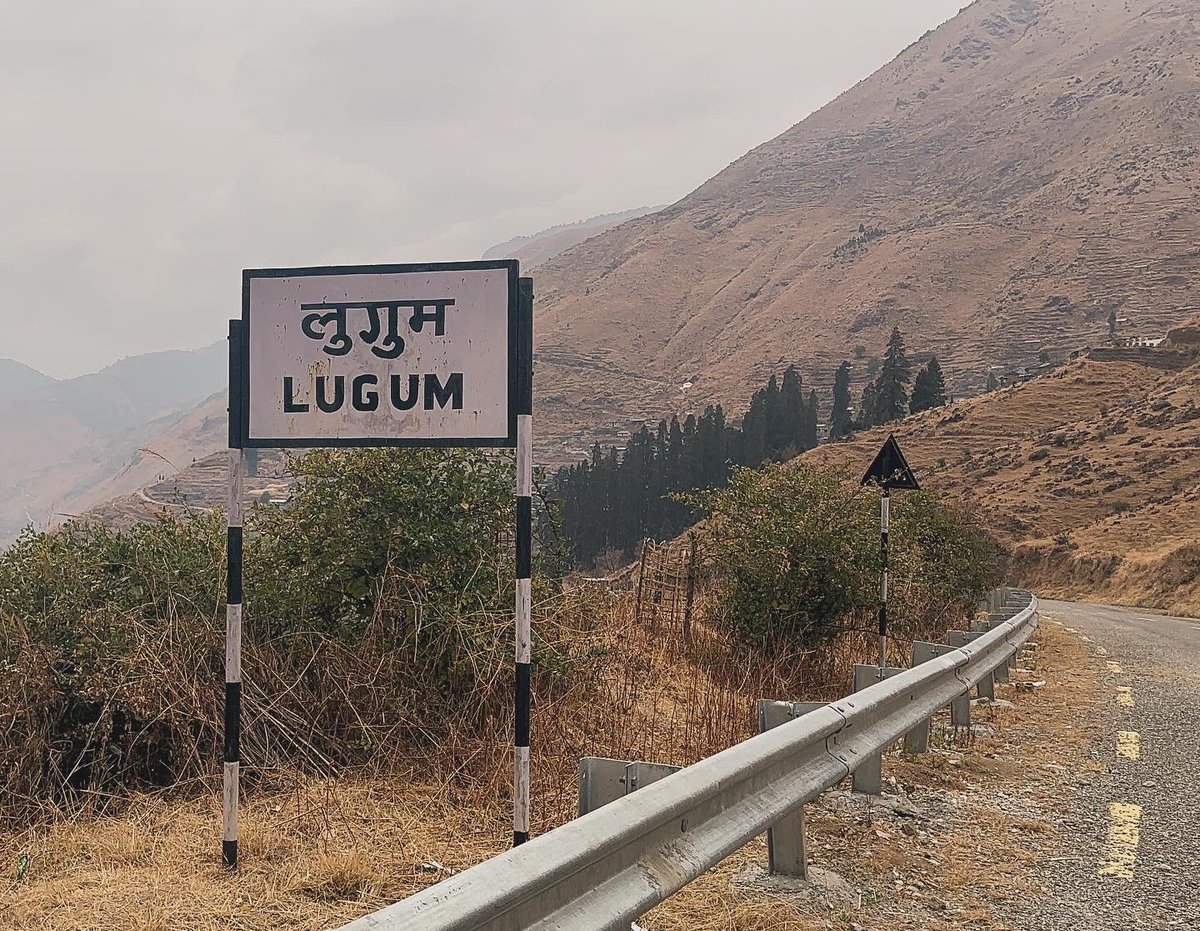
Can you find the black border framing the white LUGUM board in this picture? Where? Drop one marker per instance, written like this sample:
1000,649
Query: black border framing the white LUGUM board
517,323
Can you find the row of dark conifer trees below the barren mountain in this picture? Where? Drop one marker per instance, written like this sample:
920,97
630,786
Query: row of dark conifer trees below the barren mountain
615,500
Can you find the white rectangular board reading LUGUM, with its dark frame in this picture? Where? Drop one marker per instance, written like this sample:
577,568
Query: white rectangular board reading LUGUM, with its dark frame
381,356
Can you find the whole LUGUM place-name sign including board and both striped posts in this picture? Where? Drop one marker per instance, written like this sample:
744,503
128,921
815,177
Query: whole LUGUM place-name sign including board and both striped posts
382,356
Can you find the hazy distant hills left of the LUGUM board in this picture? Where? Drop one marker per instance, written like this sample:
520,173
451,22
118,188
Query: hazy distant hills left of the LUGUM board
76,443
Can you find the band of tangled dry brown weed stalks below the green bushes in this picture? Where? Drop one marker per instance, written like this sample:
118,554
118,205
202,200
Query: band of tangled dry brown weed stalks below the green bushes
611,681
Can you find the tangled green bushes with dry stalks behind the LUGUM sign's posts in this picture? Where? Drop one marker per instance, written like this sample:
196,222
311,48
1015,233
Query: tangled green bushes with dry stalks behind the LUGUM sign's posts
385,586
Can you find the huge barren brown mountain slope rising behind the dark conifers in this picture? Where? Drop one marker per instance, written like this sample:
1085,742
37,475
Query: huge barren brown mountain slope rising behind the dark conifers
1000,188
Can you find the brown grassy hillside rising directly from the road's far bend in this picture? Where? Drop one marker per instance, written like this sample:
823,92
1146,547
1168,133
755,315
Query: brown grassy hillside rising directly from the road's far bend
1089,476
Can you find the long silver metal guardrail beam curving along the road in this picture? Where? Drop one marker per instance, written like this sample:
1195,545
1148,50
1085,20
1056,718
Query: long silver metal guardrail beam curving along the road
610,867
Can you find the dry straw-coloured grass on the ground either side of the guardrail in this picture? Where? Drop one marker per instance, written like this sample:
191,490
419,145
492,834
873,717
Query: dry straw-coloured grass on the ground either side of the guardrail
320,852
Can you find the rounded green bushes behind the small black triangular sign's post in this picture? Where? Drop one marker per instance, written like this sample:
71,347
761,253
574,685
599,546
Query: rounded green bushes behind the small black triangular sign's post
795,554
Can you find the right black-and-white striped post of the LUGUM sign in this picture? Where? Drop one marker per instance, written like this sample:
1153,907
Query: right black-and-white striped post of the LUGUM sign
525,566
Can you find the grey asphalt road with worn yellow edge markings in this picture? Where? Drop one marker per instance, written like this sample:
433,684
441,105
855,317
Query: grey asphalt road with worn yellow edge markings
1137,824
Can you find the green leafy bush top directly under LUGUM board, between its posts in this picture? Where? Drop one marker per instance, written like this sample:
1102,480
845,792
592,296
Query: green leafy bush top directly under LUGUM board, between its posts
397,530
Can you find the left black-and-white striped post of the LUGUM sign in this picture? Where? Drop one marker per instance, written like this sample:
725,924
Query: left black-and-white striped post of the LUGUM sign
232,756
